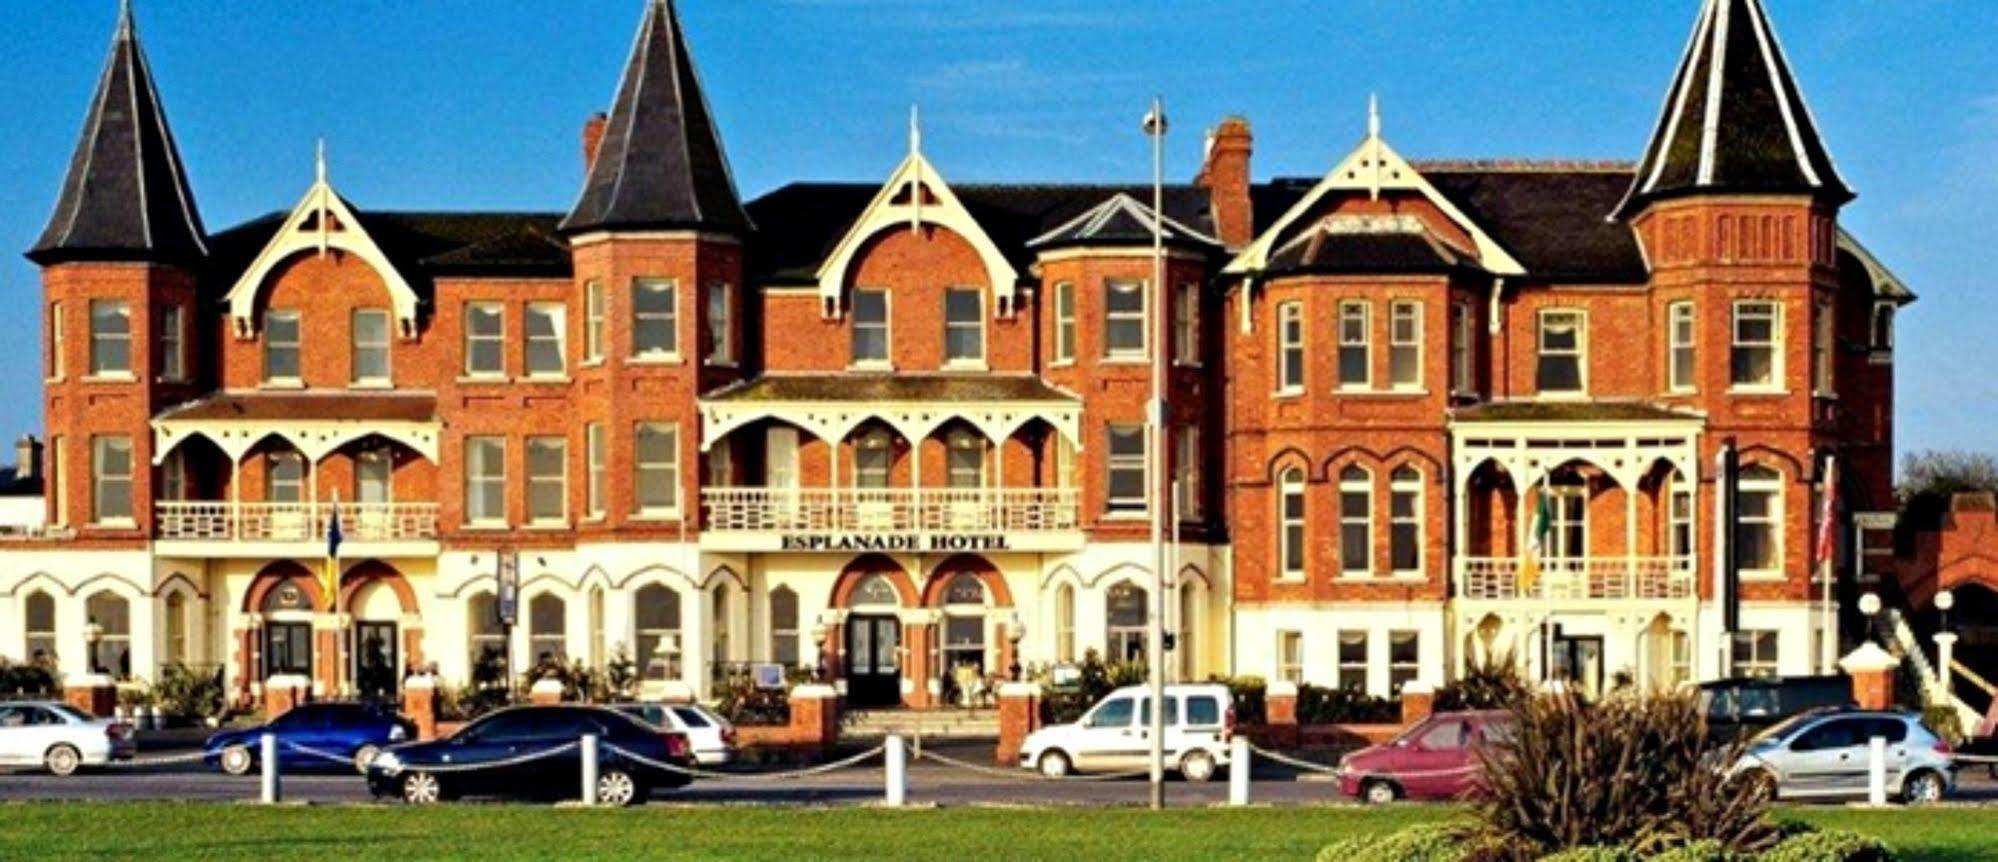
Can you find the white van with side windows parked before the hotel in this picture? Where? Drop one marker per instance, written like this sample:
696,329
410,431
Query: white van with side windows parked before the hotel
1116,735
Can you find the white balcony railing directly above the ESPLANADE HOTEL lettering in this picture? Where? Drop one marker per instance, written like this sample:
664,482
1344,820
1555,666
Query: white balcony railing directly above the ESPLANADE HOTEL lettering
890,509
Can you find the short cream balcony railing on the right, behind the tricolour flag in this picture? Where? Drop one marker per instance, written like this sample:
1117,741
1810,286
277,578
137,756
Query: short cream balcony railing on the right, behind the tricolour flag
1569,581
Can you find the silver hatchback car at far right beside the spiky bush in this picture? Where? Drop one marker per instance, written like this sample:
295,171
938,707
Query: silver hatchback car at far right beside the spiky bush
1829,753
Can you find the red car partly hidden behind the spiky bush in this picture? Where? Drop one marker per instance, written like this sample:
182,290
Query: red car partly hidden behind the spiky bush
1434,761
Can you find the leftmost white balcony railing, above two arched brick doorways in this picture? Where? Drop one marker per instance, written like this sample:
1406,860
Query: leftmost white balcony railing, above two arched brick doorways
203,521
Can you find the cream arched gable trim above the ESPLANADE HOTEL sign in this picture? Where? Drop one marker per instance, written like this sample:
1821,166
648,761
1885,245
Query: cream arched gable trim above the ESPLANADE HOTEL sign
902,201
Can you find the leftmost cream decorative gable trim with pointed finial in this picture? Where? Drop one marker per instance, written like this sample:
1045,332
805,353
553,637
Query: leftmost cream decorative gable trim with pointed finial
321,223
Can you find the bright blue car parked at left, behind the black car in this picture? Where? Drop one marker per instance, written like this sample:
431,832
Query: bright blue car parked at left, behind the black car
333,737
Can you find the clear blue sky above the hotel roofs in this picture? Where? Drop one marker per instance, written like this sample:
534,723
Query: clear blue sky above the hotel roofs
479,103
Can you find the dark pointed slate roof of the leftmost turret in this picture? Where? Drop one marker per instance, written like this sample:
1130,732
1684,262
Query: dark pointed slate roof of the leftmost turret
127,195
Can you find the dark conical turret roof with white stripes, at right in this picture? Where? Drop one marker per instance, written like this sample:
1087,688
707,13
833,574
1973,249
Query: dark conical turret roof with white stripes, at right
1735,119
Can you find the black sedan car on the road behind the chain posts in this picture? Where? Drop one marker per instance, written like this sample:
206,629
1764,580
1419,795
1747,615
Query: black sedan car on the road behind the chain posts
497,757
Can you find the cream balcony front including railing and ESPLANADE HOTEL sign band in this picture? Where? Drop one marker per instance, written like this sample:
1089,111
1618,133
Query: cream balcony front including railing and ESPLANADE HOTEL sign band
892,519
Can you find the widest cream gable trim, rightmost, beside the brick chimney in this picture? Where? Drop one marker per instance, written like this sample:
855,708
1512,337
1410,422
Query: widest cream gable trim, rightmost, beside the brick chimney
1376,169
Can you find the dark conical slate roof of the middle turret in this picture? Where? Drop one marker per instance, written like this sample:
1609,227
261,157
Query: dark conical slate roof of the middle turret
660,163
